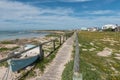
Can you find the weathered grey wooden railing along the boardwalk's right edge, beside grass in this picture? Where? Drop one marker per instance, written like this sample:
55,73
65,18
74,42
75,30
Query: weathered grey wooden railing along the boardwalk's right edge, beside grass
76,69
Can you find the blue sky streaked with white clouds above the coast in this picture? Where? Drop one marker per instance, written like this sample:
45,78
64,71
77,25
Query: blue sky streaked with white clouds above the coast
57,14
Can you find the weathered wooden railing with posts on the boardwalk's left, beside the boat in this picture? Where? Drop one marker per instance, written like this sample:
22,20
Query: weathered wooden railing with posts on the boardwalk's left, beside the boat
61,40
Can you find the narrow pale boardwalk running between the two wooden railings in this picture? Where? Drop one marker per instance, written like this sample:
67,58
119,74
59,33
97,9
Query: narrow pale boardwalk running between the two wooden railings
55,69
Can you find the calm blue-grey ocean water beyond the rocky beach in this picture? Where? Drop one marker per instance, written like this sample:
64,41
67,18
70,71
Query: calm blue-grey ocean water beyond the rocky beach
10,35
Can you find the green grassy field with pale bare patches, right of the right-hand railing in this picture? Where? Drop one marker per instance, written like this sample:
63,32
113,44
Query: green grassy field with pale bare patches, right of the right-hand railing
93,66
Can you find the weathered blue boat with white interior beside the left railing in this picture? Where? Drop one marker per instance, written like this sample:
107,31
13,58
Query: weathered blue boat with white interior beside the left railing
25,60
